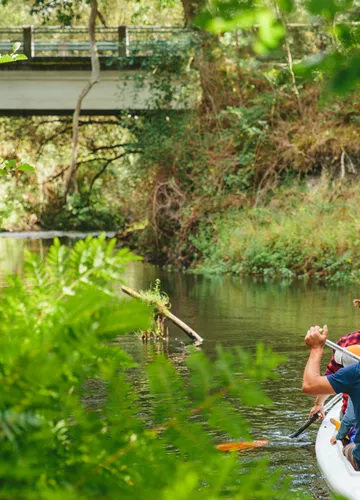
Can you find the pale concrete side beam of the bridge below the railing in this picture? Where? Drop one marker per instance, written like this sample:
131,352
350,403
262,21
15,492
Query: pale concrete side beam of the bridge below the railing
55,92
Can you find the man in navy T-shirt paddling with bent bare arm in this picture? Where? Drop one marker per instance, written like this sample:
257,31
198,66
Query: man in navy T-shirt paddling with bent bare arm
345,380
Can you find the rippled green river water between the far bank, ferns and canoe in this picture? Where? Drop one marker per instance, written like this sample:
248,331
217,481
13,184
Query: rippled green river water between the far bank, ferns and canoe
238,312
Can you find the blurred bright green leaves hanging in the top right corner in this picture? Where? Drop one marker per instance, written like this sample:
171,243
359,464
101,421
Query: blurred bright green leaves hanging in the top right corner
339,65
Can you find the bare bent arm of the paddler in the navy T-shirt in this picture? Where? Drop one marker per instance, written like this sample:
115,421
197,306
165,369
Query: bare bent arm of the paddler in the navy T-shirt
314,383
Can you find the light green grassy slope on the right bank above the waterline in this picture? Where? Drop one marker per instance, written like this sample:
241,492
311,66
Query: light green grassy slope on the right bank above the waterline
298,234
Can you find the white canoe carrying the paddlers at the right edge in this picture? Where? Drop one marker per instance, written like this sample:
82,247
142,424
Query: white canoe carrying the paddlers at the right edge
337,471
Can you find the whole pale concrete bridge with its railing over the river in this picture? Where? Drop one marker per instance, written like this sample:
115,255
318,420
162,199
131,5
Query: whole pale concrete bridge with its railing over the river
58,67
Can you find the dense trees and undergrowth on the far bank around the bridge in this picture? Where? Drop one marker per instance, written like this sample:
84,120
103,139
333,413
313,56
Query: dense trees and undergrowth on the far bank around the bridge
259,177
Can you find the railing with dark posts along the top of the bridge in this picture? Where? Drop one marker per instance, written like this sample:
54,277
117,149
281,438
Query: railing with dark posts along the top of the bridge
124,41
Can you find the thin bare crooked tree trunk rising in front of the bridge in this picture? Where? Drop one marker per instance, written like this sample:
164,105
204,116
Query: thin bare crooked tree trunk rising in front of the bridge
94,78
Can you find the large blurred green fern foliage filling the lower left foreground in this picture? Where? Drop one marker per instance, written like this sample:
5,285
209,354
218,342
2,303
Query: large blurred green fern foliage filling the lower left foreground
70,422
